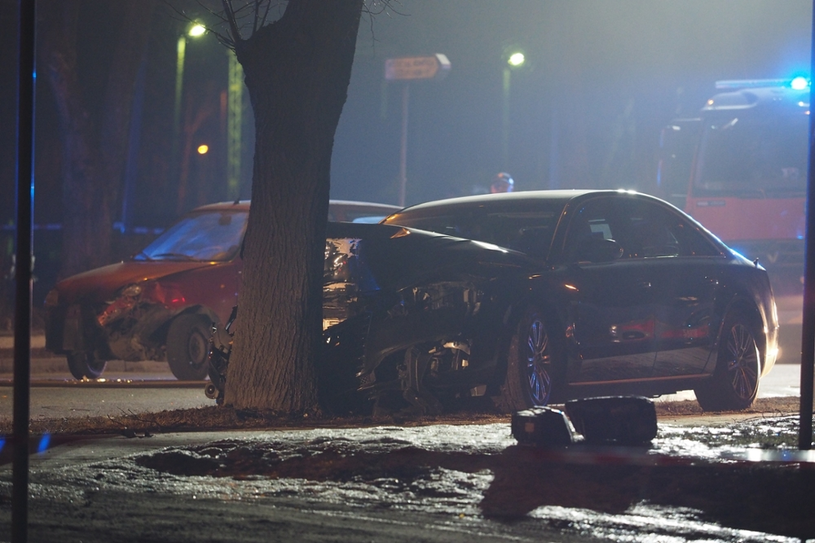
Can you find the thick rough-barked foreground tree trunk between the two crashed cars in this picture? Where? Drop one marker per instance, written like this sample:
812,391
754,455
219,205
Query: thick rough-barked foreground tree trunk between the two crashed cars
297,72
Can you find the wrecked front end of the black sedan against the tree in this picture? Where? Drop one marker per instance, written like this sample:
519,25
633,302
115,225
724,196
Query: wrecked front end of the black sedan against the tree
416,314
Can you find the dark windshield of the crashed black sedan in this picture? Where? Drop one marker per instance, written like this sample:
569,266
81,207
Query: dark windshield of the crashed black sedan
528,231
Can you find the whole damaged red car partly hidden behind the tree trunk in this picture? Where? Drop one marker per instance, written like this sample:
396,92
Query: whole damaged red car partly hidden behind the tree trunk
161,303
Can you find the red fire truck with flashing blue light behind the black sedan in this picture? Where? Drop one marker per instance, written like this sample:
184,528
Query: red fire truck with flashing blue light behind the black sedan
740,168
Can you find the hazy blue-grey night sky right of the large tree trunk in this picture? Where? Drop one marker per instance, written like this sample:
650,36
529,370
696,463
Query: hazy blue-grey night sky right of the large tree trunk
603,78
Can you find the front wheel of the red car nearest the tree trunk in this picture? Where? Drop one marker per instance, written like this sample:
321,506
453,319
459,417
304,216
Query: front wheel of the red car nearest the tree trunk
188,347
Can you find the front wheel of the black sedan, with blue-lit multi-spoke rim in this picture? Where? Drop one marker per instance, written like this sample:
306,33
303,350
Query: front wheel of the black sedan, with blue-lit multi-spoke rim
530,377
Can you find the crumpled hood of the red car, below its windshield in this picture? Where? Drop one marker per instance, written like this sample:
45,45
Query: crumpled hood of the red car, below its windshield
102,283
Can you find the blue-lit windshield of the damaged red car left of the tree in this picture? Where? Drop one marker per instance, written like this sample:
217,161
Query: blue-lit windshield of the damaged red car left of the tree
205,236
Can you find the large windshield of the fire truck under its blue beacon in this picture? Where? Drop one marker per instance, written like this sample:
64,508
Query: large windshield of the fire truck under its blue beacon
767,159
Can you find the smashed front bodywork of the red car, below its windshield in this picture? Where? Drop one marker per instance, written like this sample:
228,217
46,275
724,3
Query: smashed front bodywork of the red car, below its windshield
126,312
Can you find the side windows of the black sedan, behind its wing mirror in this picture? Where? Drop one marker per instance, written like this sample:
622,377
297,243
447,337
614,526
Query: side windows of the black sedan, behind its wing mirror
641,228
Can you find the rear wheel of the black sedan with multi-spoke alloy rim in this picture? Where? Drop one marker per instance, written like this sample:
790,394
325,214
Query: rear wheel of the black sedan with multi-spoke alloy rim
734,384
